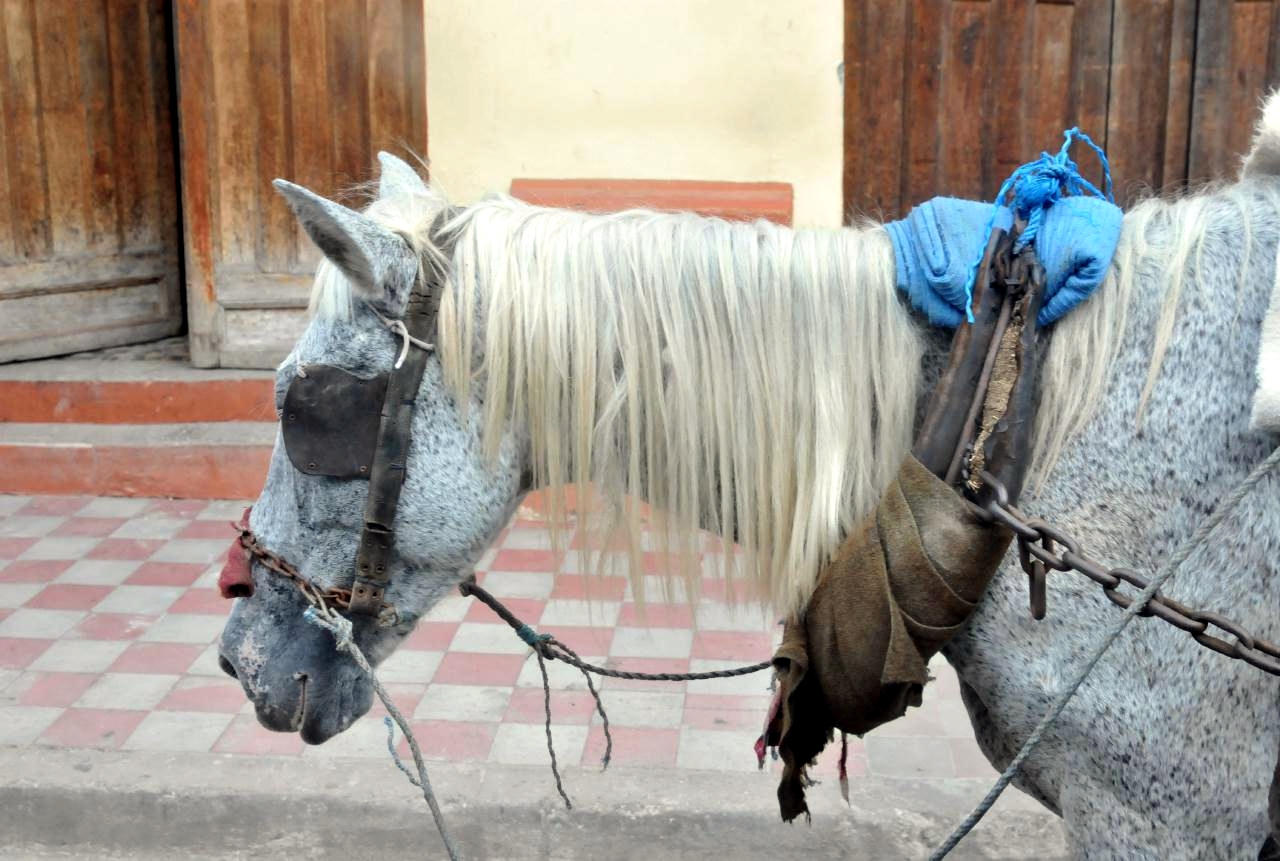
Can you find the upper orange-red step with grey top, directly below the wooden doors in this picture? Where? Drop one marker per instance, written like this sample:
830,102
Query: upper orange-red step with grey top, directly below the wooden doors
132,393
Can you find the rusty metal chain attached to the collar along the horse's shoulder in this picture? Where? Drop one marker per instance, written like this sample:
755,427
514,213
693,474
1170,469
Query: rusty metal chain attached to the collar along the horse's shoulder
1045,547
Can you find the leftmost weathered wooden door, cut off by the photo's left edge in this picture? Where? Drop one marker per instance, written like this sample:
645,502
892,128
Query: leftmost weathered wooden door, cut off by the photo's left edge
89,235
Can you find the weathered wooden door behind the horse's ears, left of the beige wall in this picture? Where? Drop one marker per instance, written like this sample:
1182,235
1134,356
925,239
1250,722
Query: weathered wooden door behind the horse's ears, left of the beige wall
308,90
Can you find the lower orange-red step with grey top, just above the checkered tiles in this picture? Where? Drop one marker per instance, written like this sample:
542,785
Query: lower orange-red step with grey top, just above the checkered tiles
188,461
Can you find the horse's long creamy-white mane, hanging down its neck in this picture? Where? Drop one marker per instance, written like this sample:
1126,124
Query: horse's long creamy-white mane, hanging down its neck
747,379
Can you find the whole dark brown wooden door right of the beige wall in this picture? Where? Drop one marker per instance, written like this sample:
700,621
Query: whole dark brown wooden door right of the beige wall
950,97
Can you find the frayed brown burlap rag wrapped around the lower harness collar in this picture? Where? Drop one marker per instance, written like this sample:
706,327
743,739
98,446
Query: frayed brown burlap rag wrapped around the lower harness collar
895,593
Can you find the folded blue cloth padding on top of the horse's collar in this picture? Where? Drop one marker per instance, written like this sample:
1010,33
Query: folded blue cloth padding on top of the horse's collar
938,244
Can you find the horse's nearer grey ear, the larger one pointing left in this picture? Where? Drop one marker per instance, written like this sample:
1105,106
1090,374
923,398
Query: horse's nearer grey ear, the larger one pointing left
380,263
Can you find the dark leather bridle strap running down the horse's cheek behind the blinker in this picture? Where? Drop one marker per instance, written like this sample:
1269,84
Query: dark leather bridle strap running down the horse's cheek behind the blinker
387,474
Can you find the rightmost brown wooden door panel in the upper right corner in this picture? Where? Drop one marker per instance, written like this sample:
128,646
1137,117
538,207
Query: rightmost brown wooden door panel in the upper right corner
1237,63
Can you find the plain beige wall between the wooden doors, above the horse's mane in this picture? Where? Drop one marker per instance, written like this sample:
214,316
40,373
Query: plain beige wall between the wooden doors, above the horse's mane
728,90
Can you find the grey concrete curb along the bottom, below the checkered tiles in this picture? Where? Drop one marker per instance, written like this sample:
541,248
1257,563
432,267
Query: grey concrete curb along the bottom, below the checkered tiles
139,805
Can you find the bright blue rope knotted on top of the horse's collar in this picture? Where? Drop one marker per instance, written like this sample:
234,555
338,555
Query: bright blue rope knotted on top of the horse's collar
1037,186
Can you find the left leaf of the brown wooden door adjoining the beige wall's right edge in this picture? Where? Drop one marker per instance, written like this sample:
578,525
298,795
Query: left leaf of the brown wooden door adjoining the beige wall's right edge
949,97
